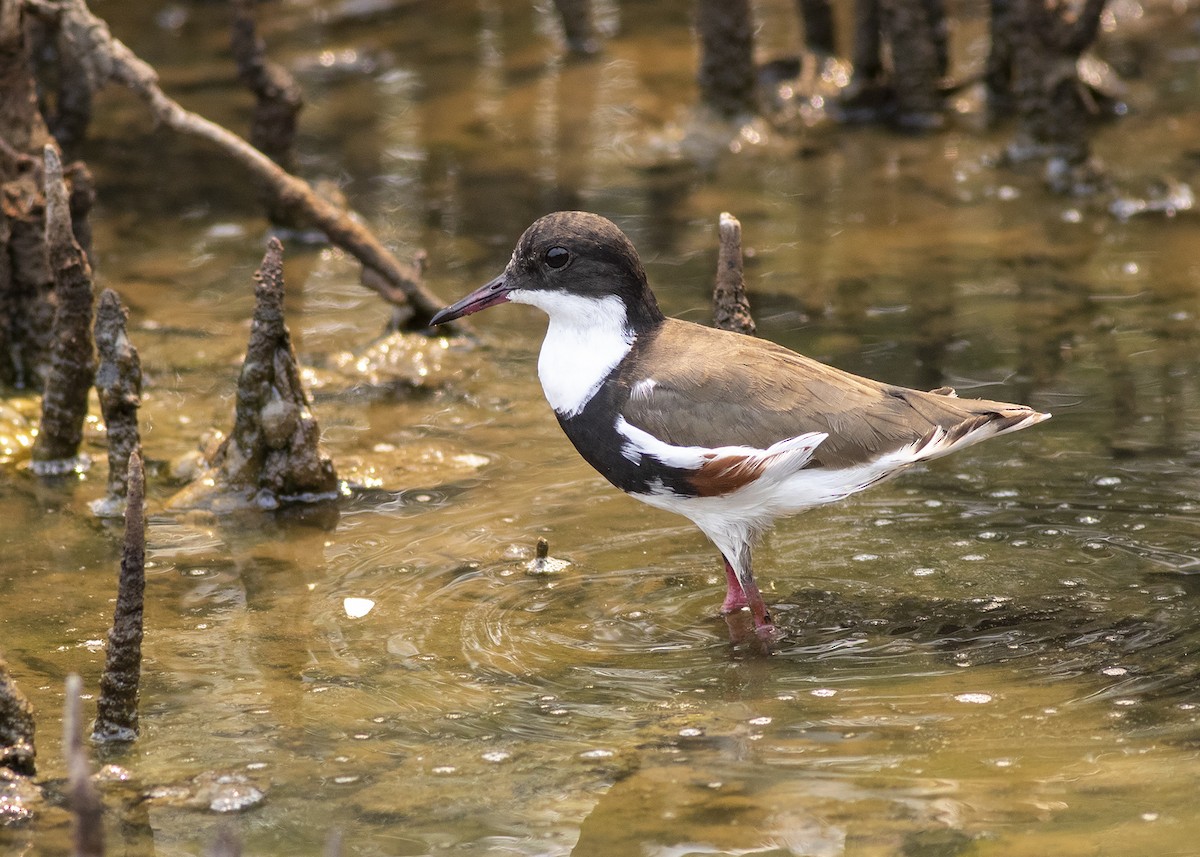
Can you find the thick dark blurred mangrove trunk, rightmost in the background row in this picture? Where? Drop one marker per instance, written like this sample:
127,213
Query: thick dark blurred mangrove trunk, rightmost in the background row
1053,103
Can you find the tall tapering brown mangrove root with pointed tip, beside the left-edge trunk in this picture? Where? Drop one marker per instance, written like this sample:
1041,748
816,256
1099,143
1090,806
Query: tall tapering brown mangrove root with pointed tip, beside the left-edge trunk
73,358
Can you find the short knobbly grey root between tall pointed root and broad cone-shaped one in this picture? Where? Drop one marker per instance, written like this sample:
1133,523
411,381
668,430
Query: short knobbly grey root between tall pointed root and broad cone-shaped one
119,387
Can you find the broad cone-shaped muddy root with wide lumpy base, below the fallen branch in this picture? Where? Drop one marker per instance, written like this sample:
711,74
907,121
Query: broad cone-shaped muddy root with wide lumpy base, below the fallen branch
273,454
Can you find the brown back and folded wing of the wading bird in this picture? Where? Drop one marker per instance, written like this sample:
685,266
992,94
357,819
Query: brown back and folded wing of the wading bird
713,388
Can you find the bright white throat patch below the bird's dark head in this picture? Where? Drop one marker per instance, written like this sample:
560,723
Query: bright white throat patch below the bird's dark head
586,339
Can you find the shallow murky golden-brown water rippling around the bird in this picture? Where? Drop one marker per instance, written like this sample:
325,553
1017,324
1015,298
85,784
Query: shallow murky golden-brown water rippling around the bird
994,656
